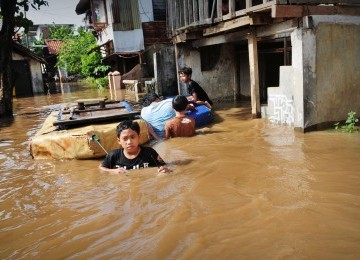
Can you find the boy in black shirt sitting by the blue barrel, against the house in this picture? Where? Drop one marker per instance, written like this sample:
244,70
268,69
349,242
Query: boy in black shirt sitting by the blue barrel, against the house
197,94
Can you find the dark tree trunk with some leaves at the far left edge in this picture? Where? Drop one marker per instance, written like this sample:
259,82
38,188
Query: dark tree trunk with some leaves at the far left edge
11,13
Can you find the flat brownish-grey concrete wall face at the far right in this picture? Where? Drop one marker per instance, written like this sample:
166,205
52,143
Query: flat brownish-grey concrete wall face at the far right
338,72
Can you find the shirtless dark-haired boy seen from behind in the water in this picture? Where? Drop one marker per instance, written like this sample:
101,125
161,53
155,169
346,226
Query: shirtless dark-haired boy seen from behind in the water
181,125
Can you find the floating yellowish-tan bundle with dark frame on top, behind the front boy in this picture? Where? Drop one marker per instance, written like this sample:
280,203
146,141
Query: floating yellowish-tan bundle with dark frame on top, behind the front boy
70,134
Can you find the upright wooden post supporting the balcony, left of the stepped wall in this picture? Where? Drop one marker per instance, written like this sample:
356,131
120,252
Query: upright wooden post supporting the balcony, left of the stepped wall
254,76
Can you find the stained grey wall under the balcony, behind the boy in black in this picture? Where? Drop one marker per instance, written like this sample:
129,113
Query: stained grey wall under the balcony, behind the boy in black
219,82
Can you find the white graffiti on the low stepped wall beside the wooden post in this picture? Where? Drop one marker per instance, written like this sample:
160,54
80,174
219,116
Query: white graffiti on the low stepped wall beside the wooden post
283,109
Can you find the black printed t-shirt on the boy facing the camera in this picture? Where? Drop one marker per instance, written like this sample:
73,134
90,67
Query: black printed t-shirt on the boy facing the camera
147,157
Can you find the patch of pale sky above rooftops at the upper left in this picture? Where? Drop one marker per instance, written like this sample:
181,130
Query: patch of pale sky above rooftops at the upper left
58,12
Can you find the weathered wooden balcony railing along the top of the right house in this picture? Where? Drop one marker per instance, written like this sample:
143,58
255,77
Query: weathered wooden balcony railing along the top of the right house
184,16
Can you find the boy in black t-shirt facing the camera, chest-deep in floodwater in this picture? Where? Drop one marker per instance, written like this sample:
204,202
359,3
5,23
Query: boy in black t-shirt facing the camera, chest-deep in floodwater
131,155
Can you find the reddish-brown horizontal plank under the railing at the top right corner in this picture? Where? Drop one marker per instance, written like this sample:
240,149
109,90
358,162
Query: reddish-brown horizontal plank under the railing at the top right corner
290,11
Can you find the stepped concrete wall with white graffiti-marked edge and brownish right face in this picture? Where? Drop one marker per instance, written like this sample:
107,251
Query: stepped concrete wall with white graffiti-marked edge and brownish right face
323,83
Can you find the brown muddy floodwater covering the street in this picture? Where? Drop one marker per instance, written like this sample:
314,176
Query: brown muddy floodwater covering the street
240,189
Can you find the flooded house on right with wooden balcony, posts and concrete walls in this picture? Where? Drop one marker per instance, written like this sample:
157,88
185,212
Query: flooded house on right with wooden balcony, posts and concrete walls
297,61
